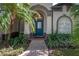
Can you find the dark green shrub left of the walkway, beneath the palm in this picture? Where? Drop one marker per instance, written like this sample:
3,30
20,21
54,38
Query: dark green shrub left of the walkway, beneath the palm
18,41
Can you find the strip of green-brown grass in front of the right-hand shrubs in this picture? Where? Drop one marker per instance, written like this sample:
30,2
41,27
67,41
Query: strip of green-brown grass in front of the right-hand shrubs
65,52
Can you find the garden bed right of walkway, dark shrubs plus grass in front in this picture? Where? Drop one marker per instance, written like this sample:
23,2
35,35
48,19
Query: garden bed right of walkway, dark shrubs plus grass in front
61,45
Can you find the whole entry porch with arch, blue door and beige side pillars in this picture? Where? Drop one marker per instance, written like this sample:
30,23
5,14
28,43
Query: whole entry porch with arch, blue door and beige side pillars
43,22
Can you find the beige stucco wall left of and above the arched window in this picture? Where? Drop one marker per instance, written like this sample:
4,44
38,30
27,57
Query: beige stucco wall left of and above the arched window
57,14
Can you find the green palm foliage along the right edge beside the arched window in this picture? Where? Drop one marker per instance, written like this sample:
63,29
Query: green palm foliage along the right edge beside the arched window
74,11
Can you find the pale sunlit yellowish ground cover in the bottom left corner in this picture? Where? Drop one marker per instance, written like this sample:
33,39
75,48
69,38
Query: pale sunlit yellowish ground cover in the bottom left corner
11,52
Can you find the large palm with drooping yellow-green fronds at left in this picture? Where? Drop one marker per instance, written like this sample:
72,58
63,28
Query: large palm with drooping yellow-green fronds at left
12,12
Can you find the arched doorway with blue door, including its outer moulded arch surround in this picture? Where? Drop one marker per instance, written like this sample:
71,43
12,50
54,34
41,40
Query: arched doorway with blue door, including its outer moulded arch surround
41,20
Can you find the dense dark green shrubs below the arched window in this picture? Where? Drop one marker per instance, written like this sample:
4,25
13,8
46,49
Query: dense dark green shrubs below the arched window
58,40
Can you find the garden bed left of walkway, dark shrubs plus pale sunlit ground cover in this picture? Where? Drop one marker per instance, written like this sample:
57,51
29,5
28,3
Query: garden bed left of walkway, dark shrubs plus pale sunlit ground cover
17,45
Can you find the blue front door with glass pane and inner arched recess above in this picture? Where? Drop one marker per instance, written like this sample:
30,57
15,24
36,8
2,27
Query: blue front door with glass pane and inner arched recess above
39,23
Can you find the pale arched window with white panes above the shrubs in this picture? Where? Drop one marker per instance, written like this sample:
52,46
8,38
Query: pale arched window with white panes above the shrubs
64,25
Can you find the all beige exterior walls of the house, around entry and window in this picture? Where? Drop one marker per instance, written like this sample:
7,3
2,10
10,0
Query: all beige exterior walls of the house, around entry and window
47,19
